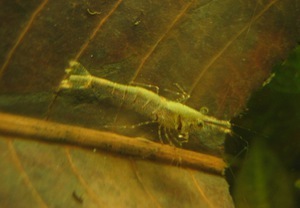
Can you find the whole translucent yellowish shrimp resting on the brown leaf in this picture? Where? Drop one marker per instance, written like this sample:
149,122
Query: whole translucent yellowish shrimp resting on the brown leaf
170,115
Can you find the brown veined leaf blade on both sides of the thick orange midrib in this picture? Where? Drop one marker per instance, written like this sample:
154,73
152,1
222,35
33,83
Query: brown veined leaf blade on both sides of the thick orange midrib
218,51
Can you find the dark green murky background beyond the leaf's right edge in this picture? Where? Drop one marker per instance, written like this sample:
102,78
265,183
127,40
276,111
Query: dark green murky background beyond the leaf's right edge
269,175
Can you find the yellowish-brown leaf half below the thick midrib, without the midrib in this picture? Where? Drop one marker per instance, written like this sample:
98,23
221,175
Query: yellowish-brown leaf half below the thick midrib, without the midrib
52,175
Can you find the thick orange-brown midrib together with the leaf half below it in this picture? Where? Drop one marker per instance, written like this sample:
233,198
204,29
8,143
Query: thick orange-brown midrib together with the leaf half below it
95,178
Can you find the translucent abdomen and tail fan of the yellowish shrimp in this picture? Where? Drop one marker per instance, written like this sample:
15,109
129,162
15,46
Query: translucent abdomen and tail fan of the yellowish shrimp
136,98
